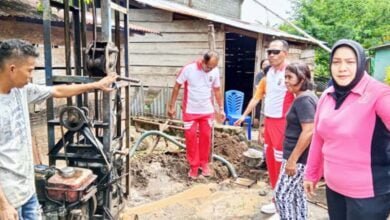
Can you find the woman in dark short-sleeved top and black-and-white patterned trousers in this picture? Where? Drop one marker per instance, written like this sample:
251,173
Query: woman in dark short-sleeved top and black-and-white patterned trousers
289,193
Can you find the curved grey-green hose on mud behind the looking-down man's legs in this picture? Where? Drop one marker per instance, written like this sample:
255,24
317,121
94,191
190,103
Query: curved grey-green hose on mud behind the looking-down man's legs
230,167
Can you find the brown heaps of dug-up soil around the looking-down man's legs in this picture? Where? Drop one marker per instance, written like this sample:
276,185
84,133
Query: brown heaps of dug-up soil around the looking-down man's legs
174,160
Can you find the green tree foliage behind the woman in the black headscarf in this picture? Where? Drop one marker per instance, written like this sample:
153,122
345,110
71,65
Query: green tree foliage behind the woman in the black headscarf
366,21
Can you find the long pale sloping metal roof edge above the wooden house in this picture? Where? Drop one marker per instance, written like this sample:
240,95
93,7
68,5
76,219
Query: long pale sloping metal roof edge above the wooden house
181,9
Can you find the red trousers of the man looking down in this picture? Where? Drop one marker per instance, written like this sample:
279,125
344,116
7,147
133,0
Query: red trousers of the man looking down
197,132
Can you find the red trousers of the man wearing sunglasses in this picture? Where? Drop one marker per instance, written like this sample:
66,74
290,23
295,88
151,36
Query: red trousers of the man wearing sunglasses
273,137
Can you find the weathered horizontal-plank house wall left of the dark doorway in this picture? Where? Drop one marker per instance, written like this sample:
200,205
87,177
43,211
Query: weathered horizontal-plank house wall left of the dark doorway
156,60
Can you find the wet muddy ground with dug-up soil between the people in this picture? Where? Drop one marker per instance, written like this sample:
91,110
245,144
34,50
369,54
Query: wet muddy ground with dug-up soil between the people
160,188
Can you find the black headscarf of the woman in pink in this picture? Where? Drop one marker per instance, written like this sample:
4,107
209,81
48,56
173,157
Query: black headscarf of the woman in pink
342,92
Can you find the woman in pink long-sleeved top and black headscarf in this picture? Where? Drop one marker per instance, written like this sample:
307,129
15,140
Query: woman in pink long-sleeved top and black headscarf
351,139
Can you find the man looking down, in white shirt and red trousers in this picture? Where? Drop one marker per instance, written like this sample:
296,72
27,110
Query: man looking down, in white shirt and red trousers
201,82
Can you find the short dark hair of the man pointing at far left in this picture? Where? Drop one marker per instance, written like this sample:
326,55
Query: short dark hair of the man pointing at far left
16,48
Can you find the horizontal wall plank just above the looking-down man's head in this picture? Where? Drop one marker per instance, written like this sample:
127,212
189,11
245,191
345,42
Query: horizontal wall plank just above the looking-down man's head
171,48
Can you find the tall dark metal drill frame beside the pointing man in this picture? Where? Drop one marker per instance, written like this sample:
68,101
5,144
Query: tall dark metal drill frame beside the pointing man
103,124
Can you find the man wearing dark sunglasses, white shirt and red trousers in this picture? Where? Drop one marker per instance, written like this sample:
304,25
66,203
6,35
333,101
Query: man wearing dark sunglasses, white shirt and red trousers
276,104
